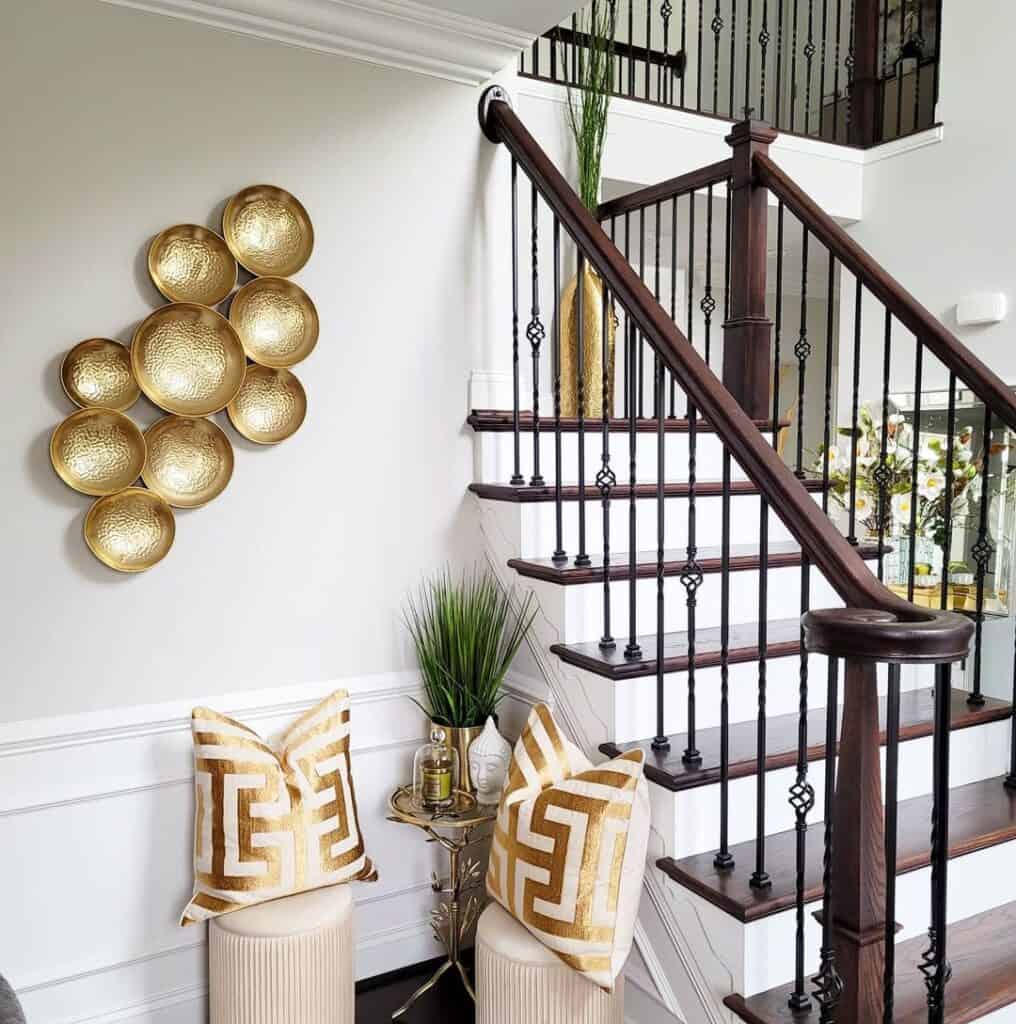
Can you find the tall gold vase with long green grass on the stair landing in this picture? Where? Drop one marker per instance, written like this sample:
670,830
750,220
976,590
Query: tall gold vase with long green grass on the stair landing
588,105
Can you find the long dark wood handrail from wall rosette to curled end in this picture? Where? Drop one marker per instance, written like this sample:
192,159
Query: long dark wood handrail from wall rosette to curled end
877,625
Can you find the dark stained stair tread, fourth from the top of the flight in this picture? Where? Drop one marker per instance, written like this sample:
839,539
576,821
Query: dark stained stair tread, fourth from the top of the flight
784,638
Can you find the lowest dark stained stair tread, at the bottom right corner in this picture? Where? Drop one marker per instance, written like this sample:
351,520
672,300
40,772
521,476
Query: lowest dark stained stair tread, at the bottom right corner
984,958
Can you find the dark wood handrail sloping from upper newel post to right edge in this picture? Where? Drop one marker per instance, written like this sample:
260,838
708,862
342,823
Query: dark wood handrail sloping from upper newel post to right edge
940,340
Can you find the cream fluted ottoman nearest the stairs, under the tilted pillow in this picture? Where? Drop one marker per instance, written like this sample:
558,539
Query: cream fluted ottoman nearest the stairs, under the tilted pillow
521,982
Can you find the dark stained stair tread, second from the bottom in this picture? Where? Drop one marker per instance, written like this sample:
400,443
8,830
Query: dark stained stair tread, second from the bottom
982,815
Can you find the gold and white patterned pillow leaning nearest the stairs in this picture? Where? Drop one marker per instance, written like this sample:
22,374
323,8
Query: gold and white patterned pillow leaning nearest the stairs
569,850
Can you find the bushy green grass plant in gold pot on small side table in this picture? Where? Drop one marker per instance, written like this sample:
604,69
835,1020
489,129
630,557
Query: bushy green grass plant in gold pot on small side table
467,633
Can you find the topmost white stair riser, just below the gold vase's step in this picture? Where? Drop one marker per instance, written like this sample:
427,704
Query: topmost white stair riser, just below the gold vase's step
494,457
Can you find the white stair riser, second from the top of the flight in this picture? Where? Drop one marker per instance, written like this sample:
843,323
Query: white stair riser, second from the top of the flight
538,525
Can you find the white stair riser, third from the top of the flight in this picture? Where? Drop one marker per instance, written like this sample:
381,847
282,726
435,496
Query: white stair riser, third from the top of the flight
584,605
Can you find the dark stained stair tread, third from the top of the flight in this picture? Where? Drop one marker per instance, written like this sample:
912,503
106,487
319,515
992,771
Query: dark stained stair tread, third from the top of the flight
743,557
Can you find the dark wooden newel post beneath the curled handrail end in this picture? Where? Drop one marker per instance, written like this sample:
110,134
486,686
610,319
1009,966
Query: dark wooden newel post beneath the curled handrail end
859,852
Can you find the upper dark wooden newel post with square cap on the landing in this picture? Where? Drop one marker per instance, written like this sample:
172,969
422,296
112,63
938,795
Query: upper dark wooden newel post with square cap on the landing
748,332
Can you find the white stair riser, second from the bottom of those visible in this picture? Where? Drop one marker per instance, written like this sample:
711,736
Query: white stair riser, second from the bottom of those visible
977,754
